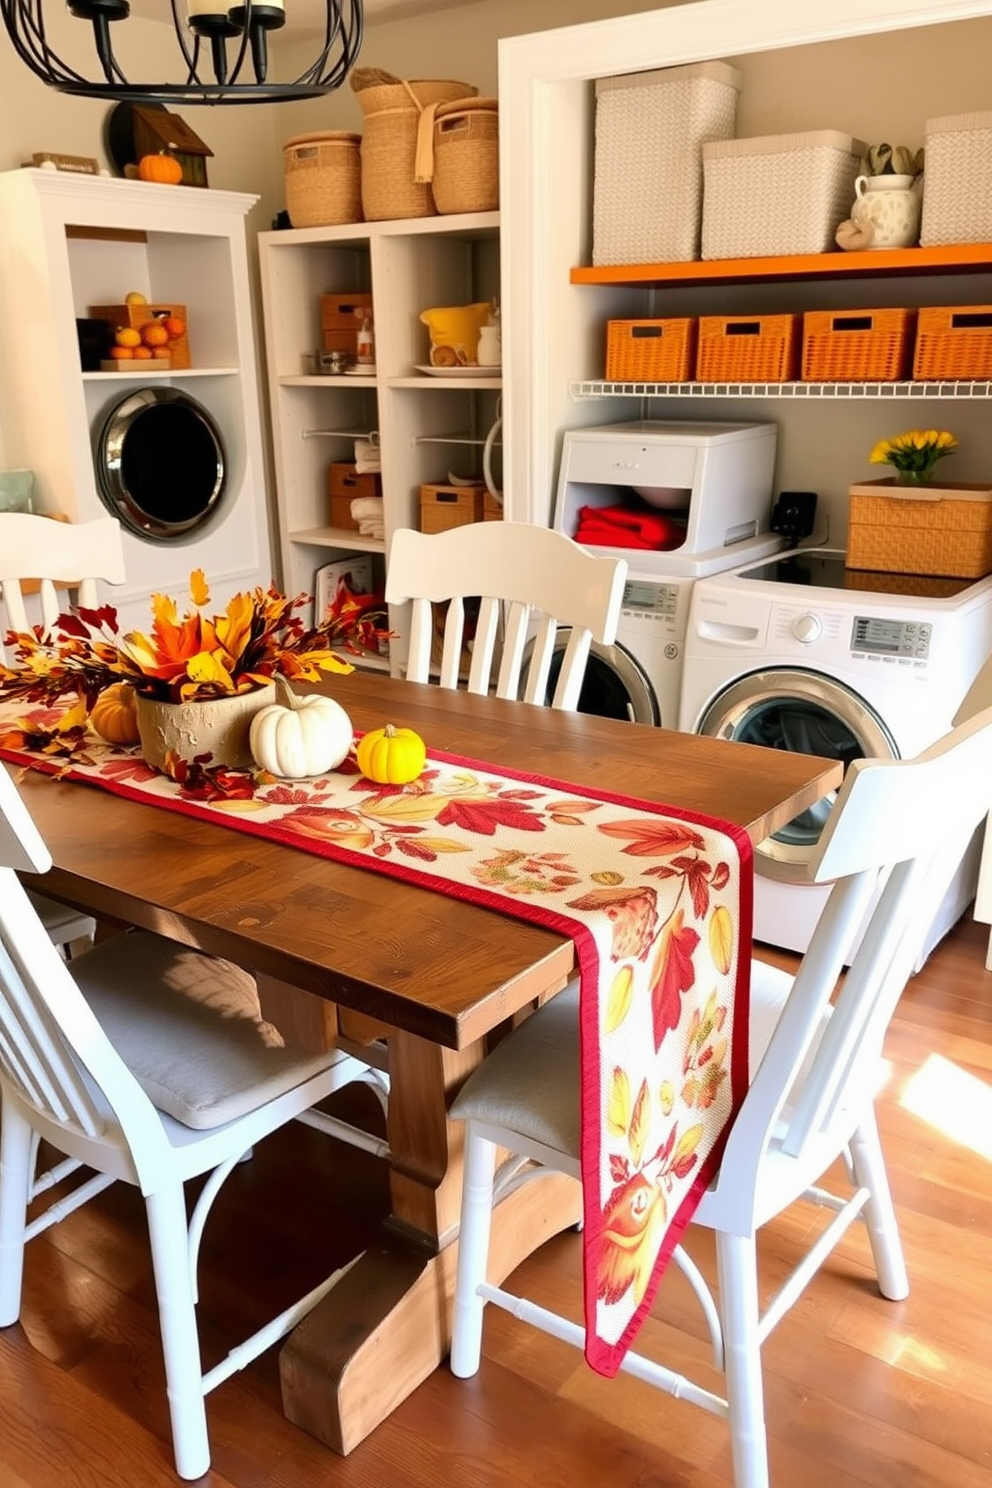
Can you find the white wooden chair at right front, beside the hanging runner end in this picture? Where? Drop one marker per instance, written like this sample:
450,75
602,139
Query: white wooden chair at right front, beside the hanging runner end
814,1074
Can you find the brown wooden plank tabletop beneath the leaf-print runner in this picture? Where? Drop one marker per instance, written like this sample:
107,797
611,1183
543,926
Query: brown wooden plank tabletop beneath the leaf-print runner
434,966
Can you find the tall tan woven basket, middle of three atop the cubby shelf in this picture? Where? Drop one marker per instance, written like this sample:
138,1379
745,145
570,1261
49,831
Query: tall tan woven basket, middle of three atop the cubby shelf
398,145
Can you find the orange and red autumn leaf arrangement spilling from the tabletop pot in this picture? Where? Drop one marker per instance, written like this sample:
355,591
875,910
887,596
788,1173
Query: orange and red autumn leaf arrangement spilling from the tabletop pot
191,655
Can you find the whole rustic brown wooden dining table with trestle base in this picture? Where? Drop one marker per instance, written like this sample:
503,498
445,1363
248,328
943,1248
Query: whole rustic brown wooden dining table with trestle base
344,952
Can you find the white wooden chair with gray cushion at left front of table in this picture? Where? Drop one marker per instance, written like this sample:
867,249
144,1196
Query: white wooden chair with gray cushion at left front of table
145,1063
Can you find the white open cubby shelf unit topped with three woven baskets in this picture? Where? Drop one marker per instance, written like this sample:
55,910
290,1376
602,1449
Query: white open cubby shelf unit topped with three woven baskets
425,425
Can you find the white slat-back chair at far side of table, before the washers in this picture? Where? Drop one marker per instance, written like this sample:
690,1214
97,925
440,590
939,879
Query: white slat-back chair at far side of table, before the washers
529,580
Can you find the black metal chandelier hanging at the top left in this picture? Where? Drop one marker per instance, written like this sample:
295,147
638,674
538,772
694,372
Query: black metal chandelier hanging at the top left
216,47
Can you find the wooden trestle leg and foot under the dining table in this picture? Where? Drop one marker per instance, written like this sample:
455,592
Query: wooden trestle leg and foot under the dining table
387,1324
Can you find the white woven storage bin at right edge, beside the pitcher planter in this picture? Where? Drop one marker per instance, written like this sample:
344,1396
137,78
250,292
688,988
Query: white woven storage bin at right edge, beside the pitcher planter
957,181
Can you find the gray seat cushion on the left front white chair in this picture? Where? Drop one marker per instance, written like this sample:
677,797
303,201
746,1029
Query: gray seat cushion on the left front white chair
190,1029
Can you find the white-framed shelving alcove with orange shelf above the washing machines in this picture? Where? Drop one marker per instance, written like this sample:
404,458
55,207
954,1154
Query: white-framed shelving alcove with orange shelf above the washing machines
554,327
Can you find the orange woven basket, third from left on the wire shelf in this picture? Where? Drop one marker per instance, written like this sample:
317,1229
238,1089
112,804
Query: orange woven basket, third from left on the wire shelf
857,346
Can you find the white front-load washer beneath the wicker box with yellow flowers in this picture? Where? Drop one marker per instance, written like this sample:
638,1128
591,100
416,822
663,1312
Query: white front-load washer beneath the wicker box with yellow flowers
802,654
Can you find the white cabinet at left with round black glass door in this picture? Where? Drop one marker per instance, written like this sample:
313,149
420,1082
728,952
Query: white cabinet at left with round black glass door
72,242
